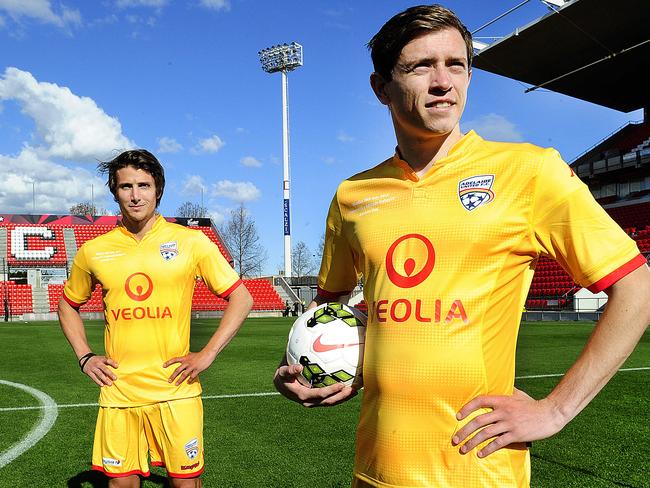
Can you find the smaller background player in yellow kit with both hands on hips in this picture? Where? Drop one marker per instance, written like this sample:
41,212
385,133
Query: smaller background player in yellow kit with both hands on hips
150,404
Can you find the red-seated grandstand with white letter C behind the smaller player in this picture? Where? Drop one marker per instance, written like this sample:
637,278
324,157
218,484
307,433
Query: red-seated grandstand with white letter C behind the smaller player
36,253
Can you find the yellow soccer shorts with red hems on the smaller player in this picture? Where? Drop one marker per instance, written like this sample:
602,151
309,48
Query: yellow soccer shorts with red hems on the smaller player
170,434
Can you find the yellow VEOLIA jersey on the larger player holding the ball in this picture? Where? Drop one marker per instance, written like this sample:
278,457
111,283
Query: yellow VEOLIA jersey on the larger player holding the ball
447,262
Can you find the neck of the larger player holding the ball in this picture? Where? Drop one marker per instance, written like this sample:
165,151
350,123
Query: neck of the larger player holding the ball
421,153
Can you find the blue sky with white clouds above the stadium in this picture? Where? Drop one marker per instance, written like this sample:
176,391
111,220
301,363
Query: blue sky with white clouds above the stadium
81,80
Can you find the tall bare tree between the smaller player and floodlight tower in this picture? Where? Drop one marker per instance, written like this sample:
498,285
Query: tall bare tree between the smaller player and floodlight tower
241,237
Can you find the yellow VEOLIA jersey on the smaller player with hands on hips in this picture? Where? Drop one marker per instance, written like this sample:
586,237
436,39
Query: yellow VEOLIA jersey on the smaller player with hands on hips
147,290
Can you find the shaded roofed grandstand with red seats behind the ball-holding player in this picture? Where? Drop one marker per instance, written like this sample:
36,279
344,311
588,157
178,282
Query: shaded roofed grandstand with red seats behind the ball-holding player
597,48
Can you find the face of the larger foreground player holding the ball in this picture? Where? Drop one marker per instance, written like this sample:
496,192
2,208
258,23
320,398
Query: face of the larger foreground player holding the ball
428,91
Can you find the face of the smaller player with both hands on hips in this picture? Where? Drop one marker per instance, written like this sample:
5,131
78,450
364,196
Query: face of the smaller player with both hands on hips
136,194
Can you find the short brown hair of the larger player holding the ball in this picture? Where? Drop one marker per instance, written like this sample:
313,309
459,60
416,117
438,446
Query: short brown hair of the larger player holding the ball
386,46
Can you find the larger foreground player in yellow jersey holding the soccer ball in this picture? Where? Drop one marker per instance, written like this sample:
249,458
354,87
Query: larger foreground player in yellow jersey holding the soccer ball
446,234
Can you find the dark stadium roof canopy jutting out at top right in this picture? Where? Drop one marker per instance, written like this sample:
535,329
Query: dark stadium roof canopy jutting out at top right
594,50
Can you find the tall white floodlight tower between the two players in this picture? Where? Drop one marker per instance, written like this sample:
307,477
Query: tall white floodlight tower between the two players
284,58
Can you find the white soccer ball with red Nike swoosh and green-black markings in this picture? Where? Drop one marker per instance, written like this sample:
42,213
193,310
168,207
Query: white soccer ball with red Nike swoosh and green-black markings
328,342
